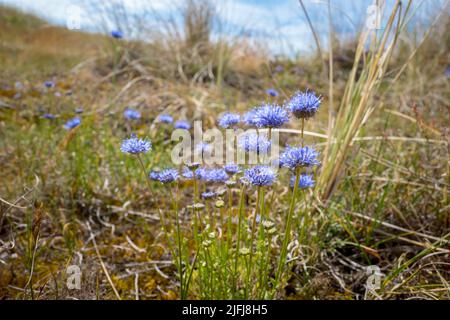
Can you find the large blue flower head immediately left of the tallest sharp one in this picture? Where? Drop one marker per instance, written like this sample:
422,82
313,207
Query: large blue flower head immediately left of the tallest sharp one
270,116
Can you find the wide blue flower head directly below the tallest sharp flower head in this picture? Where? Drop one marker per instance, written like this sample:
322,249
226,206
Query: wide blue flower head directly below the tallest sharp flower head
294,157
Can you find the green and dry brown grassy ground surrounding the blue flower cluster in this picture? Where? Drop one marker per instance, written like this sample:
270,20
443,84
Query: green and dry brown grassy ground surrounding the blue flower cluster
388,206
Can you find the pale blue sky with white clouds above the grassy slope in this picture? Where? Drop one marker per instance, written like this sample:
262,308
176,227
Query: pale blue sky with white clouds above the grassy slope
279,24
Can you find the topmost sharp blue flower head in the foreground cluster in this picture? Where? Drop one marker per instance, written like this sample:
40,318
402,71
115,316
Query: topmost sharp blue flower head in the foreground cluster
304,104
